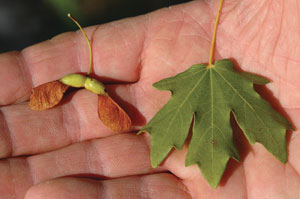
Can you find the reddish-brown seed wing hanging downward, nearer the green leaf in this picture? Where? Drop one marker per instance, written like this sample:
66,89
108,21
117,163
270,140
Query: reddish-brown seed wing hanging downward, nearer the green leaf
112,115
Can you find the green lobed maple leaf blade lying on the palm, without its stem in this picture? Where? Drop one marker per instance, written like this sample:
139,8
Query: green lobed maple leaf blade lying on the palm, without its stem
209,95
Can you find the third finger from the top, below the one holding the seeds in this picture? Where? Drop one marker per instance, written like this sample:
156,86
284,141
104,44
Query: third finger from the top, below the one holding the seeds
116,156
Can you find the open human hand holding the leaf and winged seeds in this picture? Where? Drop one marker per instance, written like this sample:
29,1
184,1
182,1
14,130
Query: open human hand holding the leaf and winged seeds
45,154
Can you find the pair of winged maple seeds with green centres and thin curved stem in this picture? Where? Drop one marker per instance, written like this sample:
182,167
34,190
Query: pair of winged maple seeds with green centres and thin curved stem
50,94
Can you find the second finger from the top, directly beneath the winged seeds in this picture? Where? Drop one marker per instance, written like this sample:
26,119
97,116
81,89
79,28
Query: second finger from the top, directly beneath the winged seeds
24,131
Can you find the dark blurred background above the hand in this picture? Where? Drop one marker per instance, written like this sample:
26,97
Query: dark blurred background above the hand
26,22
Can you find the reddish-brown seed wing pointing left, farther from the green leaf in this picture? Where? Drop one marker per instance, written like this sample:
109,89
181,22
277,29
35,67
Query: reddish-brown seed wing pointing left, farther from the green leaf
47,95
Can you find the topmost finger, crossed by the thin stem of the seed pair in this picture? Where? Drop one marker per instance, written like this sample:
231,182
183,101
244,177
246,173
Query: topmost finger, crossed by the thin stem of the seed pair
116,48
